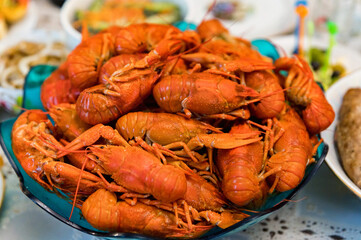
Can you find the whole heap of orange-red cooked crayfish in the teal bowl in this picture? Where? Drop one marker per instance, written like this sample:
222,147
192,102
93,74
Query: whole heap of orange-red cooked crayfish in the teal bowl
169,133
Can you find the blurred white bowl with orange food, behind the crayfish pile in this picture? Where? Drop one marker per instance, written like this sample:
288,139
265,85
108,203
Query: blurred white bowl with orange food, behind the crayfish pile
98,14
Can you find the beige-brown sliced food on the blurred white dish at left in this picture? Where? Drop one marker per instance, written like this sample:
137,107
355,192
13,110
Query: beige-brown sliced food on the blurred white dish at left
16,61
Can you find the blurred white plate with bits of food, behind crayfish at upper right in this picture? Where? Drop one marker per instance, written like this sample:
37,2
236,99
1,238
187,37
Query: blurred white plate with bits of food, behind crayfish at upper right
250,18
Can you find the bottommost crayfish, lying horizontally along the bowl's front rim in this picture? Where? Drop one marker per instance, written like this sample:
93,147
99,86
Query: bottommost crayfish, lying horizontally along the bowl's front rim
103,211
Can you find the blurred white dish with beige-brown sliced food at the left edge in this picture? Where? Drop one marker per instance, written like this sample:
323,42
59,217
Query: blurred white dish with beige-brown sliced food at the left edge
19,55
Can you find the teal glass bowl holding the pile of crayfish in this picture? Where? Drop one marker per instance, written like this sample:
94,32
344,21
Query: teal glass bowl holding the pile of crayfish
61,207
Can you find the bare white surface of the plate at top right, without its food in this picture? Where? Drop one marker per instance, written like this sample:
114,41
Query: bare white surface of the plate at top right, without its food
266,18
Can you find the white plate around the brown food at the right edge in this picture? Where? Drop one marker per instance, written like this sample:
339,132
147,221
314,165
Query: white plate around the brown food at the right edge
335,95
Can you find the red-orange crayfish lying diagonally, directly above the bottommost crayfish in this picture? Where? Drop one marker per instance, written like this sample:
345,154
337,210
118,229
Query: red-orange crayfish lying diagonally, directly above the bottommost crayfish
140,171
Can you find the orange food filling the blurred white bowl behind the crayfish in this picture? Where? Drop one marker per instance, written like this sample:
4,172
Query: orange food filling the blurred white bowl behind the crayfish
105,13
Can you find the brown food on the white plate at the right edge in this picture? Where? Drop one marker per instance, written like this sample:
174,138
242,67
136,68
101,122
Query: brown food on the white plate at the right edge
348,134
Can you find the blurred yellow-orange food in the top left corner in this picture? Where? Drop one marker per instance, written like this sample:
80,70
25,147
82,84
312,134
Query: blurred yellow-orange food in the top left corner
11,11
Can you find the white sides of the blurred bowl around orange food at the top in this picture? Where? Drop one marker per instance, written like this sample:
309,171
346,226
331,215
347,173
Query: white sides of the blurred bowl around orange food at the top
73,37
